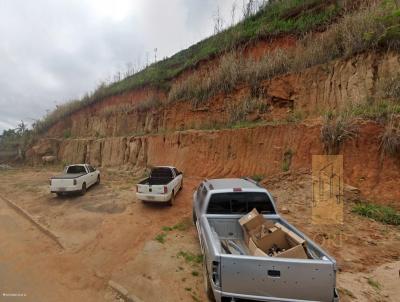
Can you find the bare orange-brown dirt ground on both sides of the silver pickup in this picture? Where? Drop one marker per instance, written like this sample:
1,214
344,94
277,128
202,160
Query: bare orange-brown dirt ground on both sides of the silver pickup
153,251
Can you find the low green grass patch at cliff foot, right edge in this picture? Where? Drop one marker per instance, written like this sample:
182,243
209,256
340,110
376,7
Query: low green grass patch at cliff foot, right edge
384,214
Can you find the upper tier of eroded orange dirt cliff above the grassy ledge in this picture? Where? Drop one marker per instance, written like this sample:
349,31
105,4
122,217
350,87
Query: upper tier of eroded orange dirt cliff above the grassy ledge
309,92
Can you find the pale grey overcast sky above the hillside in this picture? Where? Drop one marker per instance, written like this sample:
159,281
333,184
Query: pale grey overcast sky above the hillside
52,51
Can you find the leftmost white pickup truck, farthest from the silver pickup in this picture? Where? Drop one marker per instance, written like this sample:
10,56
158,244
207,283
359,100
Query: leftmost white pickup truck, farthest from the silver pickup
76,178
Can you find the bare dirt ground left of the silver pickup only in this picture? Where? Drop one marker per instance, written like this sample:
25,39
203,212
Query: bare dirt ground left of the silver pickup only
107,235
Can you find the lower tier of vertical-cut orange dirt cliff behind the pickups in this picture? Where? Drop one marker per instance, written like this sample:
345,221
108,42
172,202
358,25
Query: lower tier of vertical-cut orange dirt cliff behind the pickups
262,150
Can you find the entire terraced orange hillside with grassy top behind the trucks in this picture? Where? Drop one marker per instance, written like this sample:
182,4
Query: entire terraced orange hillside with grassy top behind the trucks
299,78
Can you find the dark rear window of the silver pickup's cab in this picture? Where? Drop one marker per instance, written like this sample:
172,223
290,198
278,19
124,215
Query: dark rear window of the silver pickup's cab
239,203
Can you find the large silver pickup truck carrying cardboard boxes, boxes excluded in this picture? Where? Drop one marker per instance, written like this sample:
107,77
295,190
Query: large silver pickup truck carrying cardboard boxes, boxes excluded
218,205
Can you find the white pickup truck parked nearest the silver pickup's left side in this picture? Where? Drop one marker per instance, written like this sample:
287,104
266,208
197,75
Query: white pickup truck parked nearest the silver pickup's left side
162,185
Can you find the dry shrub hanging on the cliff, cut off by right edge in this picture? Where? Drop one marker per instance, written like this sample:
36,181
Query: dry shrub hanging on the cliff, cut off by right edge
390,139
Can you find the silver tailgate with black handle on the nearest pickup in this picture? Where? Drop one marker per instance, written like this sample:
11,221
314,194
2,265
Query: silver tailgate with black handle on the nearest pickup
312,280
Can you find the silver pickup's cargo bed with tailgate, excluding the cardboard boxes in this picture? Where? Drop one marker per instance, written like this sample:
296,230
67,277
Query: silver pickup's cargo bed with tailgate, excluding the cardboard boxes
283,278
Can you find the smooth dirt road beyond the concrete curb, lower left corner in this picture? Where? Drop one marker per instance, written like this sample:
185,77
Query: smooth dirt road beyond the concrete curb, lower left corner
29,265
